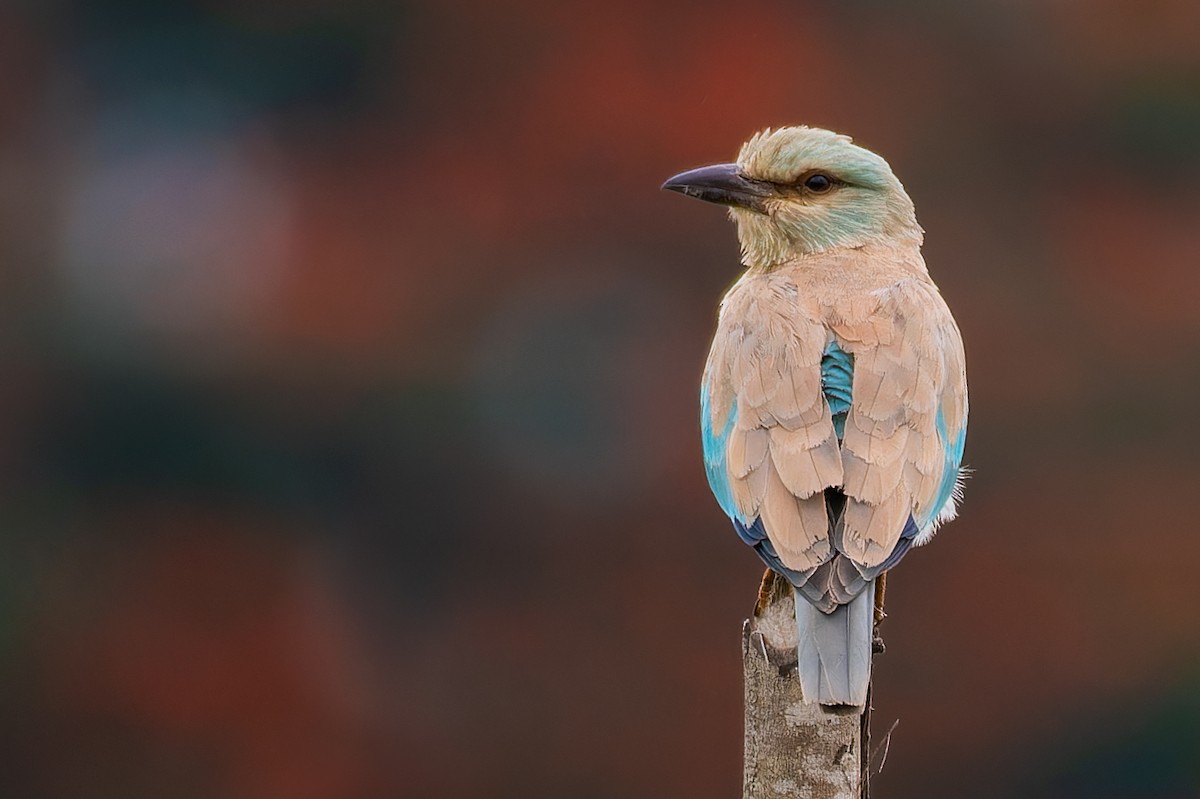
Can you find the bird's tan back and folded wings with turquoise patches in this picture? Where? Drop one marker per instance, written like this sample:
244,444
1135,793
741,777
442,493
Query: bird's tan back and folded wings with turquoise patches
835,405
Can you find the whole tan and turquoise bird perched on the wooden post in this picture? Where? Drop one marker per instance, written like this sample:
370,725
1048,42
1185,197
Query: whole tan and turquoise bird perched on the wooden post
835,400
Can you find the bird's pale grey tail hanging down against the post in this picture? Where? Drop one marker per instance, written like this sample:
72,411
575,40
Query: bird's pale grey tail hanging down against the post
835,650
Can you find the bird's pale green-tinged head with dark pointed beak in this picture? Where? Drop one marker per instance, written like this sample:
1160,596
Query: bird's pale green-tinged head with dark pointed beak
797,191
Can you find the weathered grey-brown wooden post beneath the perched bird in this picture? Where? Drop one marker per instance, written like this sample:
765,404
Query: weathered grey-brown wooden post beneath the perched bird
793,750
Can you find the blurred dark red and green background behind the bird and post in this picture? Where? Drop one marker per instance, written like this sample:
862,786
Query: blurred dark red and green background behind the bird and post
349,434
